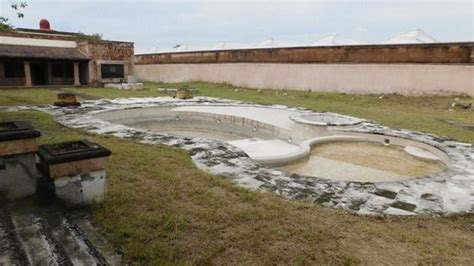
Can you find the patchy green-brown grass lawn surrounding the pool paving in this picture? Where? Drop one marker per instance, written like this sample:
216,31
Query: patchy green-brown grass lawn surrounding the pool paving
161,209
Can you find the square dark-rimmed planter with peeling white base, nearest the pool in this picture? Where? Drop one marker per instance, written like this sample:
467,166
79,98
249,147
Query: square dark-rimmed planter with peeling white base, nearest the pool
77,169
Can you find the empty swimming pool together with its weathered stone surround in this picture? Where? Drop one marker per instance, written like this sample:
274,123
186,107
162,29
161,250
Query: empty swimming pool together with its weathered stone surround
326,158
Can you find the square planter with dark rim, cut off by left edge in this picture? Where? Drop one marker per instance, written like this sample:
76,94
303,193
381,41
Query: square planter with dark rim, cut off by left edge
18,147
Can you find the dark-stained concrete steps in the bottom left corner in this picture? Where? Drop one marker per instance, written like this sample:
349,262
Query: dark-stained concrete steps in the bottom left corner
30,235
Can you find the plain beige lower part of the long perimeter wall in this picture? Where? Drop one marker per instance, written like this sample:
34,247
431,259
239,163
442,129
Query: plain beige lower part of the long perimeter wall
405,79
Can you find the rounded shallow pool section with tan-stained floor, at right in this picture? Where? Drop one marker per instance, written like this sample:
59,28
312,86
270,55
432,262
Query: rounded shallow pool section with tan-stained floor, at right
363,162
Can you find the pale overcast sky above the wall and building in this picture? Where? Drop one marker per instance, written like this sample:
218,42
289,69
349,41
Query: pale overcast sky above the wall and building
163,24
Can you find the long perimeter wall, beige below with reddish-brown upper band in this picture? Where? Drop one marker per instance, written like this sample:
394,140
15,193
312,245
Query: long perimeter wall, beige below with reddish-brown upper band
406,69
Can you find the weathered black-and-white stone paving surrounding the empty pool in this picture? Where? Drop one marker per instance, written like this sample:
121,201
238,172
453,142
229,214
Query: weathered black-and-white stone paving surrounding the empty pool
445,192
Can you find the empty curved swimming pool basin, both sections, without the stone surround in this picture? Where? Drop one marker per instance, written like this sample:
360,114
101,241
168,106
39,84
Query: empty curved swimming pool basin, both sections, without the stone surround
308,144
